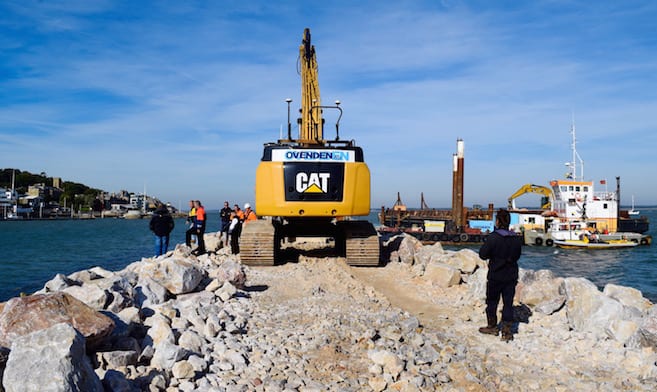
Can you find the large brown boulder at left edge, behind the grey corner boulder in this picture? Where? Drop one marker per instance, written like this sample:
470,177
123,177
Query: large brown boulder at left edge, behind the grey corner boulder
24,315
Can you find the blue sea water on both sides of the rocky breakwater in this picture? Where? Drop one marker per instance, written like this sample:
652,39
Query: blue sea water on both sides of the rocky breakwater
33,252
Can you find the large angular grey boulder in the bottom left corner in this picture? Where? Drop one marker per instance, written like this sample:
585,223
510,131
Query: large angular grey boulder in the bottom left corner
51,359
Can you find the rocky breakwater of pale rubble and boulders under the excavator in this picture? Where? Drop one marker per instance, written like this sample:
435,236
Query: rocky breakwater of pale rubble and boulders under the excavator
186,323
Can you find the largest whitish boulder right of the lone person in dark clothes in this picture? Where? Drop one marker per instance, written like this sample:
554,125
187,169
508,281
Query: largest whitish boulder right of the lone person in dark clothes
587,309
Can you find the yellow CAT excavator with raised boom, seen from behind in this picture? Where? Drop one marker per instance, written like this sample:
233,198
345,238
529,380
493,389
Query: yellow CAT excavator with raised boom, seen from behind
311,186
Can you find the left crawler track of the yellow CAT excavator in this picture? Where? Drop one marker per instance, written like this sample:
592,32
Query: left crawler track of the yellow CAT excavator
257,244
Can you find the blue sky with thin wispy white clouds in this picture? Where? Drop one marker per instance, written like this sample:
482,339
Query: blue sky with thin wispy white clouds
178,97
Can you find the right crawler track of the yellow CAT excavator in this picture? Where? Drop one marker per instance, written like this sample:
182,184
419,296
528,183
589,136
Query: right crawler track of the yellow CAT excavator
361,243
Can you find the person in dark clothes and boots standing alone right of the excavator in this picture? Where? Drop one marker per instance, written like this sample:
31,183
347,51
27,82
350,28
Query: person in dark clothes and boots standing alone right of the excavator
502,249
